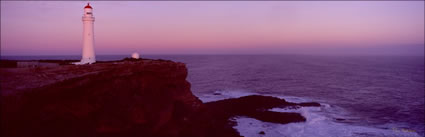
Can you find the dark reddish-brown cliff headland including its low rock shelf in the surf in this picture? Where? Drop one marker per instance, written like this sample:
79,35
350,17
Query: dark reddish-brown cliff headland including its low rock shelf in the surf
126,98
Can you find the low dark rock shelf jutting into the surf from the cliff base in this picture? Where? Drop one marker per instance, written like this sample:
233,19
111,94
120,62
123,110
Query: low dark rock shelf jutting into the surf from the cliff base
257,106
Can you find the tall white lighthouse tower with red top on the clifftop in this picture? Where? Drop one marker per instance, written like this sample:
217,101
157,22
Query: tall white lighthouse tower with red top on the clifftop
88,56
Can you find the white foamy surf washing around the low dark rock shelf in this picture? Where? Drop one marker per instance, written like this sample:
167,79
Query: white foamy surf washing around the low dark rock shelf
324,121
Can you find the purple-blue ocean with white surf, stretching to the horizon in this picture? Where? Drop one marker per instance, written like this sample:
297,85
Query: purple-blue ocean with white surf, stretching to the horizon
380,96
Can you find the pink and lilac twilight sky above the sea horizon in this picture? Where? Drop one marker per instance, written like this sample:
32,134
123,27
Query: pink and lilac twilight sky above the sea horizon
215,27
